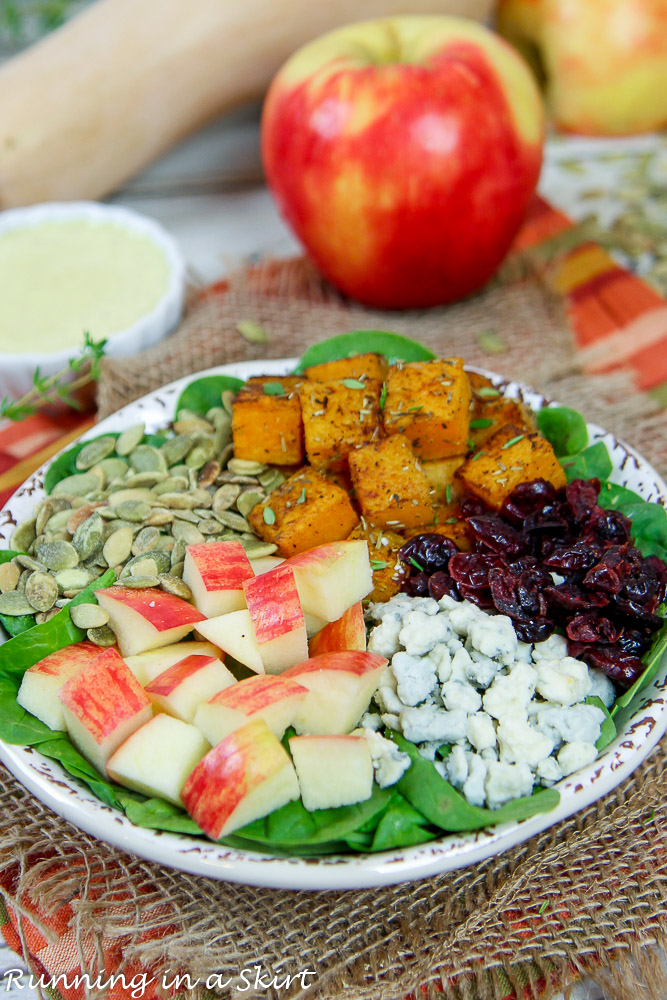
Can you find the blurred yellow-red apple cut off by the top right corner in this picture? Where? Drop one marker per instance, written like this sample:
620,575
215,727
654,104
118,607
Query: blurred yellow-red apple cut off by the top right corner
604,62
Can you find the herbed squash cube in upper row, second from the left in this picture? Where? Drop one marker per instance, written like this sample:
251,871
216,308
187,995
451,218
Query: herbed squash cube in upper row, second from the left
337,417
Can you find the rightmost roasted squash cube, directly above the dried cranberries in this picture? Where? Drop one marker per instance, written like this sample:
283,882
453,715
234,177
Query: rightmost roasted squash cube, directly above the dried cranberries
510,457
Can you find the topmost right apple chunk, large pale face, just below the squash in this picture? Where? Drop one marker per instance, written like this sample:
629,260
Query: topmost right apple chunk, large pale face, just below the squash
332,577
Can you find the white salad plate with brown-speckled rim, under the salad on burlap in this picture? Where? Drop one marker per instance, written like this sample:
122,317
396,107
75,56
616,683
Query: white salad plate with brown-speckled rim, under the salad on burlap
62,793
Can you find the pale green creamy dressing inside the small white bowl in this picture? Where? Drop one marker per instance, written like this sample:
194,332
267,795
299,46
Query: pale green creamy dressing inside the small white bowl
61,279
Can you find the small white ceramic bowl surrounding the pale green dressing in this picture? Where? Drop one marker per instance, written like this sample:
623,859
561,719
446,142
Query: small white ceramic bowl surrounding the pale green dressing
16,370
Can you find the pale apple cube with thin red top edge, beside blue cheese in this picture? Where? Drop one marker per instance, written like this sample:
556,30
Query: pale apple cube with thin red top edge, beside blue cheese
332,770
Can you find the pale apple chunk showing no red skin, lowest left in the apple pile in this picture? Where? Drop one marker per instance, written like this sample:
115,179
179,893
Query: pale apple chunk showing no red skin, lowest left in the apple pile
158,757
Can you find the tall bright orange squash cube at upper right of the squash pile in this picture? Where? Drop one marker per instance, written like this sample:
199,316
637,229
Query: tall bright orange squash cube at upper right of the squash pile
429,402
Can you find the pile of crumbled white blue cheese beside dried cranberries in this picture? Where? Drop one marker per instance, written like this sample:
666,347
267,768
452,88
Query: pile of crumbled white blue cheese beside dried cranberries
511,713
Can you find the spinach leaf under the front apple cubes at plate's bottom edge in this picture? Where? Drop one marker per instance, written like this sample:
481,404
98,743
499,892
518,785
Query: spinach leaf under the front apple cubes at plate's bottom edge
293,826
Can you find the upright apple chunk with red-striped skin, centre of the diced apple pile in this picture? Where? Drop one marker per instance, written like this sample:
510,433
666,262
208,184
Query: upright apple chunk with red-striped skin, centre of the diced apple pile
277,618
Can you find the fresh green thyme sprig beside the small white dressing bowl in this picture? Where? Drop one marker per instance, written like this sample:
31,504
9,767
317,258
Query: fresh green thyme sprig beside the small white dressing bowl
51,388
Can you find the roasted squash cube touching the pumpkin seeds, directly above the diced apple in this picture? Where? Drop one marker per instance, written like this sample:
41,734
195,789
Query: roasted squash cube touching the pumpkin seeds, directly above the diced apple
304,511
